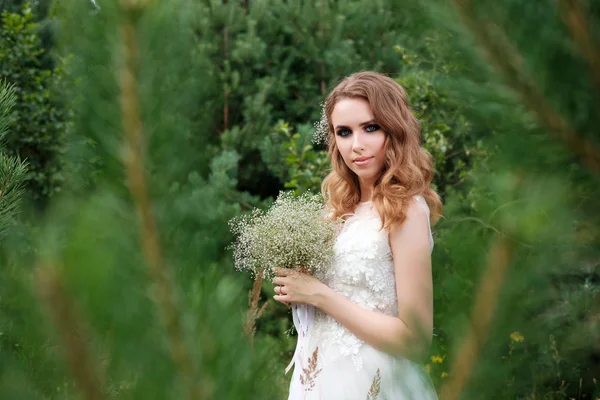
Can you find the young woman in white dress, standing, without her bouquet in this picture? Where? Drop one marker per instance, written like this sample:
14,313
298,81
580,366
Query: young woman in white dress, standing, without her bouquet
374,308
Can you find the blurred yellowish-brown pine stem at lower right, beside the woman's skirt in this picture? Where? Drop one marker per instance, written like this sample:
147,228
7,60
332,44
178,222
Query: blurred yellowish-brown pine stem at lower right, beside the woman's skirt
486,301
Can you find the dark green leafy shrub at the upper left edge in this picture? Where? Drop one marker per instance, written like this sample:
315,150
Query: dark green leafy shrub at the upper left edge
39,120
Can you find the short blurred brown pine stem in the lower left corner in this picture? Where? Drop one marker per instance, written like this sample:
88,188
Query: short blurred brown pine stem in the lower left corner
63,315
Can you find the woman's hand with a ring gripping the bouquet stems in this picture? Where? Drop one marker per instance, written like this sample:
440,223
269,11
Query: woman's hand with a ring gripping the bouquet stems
296,287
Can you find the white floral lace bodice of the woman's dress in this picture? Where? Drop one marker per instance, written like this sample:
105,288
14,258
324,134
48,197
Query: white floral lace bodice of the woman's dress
363,271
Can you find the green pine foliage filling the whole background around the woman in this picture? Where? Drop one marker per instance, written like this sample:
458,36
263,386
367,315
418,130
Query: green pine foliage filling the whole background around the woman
212,107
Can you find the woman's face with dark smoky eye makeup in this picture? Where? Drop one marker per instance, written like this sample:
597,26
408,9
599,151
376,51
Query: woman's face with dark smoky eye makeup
359,139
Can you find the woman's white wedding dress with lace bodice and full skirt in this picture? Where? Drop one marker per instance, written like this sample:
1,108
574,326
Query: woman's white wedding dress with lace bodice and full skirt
331,363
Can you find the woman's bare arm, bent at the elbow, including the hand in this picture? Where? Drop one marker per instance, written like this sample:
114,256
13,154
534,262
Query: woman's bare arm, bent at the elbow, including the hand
409,334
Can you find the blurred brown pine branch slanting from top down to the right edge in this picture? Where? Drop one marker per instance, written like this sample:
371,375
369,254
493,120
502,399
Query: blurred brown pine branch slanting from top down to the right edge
511,67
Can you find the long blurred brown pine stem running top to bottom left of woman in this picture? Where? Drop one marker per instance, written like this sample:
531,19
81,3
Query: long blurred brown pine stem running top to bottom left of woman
133,159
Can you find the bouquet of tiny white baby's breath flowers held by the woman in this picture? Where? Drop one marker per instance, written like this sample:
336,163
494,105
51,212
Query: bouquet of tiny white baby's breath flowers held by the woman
292,233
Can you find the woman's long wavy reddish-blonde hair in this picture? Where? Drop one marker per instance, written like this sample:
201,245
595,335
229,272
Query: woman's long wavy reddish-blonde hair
408,168
